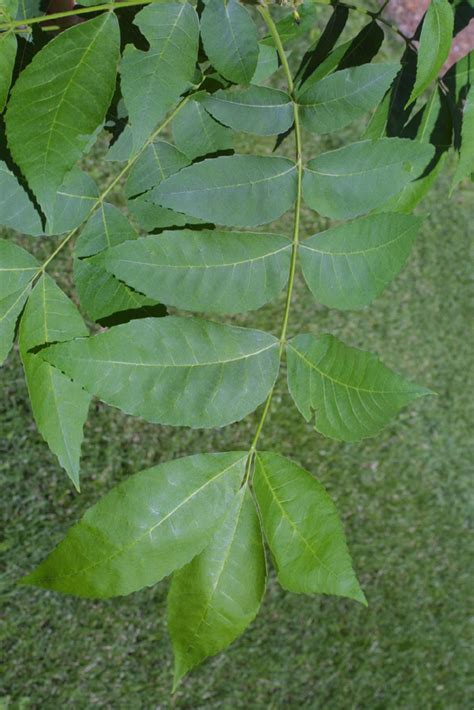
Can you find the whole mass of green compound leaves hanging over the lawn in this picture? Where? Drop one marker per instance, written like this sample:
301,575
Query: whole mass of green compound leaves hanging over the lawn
172,84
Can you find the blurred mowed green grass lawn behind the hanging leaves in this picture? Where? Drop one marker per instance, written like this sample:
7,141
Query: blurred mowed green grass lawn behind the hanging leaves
403,497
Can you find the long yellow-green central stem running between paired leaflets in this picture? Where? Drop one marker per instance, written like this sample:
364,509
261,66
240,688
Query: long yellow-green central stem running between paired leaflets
296,227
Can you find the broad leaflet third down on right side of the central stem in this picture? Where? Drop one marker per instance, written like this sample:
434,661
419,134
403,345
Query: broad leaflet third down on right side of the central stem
350,265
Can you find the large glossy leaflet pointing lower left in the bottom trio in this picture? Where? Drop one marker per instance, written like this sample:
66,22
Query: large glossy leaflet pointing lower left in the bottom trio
142,530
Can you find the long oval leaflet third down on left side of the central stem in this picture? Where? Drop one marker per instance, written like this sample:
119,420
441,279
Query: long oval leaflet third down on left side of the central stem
220,272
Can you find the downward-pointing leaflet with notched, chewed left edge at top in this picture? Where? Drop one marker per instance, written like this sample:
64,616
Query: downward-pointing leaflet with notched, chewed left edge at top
153,81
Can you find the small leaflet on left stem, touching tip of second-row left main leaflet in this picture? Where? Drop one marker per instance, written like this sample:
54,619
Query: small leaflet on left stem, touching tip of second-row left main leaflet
157,162
